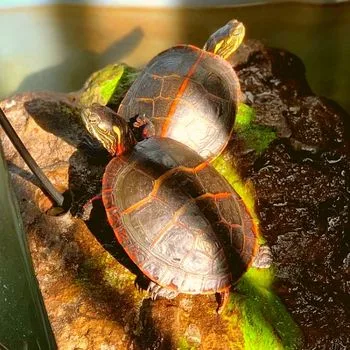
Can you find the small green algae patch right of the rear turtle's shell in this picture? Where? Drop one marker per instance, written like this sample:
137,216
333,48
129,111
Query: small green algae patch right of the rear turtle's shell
257,137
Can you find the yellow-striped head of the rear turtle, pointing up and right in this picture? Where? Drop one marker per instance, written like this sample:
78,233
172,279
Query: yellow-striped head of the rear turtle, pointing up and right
225,41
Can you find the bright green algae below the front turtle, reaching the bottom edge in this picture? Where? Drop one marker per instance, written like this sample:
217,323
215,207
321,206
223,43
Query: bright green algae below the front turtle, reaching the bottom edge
266,324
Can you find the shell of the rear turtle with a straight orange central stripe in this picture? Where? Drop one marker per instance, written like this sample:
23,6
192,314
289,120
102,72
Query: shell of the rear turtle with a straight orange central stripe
189,95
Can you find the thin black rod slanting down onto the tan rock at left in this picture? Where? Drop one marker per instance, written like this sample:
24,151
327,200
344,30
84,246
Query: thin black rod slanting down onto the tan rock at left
45,183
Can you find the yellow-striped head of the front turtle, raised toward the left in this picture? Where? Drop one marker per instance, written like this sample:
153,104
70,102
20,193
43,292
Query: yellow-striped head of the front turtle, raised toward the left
109,128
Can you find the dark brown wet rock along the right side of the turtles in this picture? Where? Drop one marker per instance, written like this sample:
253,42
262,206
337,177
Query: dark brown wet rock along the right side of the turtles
302,193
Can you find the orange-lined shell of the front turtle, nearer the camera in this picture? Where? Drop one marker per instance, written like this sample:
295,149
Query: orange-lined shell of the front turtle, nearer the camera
177,218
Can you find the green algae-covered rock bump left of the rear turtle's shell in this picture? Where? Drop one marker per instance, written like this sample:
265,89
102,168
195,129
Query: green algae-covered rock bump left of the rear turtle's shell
108,85
